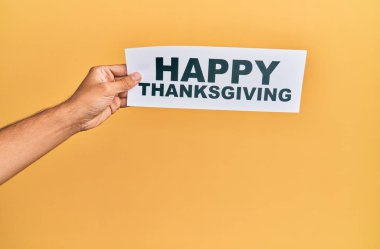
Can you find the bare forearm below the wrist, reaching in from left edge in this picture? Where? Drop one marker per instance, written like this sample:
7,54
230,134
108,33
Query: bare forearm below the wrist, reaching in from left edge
27,140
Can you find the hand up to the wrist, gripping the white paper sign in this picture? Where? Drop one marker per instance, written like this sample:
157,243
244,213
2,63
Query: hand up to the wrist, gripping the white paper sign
103,91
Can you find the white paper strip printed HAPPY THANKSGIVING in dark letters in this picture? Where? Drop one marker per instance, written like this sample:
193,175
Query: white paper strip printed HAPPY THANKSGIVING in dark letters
217,78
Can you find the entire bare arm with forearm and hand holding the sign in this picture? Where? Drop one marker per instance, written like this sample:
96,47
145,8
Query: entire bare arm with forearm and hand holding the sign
102,92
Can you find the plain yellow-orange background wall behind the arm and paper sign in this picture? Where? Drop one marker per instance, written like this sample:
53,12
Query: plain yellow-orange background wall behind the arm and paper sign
170,178
